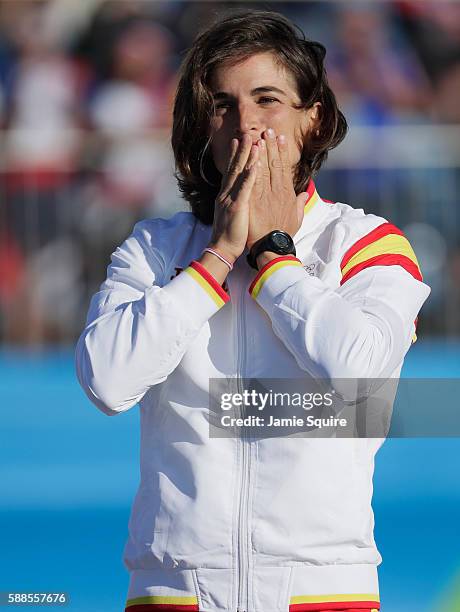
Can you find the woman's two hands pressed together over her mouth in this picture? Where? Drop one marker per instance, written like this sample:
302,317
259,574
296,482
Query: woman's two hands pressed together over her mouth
257,195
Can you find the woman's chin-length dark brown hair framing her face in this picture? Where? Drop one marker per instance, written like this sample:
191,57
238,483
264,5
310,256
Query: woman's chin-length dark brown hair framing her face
229,40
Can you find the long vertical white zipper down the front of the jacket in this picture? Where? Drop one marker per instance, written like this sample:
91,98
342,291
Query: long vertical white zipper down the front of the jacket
243,555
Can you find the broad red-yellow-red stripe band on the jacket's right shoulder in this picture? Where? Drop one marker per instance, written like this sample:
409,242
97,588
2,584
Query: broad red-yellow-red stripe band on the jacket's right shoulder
385,245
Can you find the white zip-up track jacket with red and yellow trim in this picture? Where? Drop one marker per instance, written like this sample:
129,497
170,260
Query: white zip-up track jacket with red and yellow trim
264,525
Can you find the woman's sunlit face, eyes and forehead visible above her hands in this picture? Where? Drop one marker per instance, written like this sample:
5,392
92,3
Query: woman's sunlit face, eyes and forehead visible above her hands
251,96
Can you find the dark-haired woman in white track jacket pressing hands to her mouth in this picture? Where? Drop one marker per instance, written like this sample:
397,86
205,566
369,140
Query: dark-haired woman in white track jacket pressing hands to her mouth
262,279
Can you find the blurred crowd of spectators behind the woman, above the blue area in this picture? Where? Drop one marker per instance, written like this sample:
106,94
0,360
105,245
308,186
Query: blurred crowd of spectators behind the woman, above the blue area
86,89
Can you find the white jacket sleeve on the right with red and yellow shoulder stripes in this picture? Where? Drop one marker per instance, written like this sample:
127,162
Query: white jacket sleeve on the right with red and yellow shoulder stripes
362,329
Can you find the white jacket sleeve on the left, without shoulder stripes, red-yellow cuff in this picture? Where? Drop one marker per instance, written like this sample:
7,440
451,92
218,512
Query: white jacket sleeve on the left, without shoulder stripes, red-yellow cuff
137,330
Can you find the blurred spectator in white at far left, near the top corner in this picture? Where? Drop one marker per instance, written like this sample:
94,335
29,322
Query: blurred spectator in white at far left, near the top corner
44,115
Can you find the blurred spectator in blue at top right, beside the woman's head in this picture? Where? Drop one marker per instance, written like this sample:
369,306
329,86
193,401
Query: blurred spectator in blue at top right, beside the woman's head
377,77
